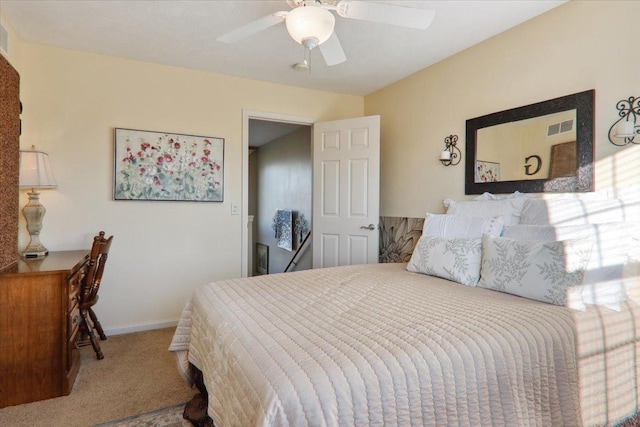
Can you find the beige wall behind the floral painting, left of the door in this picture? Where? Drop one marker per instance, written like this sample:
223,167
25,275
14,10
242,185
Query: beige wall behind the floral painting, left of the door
161,250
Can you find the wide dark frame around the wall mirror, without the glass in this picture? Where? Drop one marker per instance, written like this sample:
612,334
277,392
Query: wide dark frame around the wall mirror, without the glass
583,103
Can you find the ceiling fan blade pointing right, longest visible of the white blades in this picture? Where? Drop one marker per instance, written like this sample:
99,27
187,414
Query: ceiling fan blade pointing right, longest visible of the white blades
386,13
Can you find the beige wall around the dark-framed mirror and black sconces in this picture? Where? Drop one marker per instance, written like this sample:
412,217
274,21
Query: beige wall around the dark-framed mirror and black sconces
578,46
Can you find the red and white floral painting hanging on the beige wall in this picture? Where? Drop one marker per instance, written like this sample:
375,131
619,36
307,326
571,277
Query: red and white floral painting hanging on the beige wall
165,166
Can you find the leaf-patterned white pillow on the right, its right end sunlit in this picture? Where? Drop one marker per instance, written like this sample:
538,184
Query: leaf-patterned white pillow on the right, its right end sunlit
543,271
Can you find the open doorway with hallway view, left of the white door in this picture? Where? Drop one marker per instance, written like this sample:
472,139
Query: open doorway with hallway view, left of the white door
277,160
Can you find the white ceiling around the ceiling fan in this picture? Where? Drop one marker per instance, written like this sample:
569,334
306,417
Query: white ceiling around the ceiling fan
183,33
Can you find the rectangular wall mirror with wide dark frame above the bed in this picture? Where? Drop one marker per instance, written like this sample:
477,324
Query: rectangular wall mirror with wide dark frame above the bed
543,147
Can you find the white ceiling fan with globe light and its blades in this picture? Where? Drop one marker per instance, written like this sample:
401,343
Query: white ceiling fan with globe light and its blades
311,22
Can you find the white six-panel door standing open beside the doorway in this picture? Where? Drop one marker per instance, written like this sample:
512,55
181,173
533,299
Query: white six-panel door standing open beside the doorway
346,191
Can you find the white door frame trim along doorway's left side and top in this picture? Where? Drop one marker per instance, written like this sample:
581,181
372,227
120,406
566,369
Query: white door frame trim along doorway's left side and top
267,116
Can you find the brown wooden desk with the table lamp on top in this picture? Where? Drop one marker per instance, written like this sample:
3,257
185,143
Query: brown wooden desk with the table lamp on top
39,320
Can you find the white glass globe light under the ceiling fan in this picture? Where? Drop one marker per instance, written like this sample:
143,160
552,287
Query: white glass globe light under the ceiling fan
310,22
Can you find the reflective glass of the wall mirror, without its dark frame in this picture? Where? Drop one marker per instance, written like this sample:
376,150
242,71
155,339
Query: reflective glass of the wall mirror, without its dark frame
523,149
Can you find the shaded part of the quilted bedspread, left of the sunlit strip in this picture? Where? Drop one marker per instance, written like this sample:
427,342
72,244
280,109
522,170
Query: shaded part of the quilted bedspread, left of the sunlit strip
375,345
